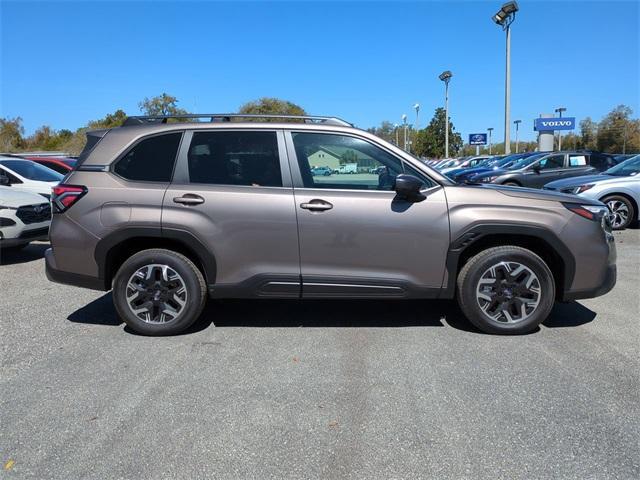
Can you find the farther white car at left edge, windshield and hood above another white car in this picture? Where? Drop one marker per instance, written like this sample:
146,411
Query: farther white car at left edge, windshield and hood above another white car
27,176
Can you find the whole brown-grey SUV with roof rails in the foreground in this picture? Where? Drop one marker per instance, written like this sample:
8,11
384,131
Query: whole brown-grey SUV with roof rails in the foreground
228,206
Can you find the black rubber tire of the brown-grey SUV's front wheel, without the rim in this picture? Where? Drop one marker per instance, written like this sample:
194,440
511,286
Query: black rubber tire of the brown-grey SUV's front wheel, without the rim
469,278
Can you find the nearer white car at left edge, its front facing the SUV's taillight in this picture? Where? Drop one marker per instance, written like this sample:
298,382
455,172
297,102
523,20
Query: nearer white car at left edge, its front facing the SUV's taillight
24,217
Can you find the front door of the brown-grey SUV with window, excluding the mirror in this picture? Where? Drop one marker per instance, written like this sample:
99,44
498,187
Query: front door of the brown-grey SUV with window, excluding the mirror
357,238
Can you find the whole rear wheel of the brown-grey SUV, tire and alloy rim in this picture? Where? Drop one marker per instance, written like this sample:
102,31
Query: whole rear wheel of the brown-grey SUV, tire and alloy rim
159,292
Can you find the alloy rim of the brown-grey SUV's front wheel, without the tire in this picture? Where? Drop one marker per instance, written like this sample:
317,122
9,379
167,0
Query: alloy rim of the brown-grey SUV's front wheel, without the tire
508,292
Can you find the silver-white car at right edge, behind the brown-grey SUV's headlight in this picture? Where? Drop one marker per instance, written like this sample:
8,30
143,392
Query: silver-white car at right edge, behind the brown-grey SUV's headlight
618,188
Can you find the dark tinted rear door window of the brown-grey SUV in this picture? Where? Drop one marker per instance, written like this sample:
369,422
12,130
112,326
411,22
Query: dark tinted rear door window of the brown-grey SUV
235,158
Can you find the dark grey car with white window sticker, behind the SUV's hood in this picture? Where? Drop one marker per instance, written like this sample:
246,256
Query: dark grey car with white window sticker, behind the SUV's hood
537,170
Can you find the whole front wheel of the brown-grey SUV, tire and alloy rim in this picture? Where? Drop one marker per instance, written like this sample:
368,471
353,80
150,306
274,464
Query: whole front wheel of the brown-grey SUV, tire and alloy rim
506,290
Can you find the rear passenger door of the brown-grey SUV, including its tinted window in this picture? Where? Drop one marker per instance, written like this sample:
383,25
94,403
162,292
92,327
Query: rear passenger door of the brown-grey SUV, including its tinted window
232,191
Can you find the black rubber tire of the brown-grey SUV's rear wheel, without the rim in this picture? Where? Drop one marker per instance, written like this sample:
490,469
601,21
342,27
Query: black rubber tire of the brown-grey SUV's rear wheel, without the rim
191,277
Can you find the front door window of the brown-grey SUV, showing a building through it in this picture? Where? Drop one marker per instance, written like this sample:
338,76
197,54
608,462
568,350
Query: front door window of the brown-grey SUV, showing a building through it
343,162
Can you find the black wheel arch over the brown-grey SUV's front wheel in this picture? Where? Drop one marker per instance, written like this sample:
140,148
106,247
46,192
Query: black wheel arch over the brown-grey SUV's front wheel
539,240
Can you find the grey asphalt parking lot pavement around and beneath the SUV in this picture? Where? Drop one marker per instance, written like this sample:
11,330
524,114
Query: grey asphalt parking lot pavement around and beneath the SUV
322,389
